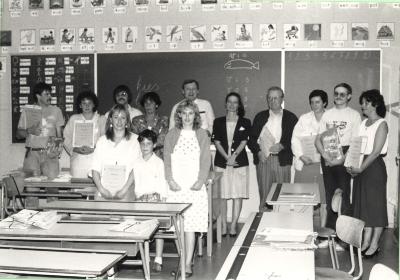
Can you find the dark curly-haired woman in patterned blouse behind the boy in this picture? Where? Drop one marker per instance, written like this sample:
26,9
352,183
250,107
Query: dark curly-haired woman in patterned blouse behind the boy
152,120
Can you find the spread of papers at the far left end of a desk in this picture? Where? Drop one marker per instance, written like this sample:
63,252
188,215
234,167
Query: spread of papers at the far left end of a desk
26,218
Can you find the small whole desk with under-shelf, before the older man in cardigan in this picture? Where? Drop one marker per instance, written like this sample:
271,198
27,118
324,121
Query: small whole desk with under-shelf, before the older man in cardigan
298,197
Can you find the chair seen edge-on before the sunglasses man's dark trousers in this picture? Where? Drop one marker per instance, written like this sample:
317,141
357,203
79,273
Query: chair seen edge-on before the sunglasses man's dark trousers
329,233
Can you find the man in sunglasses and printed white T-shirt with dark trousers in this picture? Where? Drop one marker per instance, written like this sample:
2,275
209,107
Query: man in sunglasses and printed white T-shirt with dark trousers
347,122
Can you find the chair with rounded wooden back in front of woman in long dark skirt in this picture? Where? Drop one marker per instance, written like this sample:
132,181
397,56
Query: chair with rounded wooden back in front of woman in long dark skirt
349,230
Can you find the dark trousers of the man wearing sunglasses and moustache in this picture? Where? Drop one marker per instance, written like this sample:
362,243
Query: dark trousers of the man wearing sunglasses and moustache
336,177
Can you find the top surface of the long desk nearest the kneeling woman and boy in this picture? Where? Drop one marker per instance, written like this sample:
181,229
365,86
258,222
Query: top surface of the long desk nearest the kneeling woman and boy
117,207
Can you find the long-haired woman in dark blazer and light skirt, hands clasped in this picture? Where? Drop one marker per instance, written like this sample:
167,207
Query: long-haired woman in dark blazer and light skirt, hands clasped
231,133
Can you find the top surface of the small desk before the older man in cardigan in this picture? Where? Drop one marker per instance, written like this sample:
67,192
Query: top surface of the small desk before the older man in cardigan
296,189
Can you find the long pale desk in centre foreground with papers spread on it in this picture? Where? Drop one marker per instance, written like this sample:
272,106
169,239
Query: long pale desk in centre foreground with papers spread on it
249,261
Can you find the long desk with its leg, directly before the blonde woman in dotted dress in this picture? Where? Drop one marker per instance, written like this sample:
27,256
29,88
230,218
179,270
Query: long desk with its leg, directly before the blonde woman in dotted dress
148,209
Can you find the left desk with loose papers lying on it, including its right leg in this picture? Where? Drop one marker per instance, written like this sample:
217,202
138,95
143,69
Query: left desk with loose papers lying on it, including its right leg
84,233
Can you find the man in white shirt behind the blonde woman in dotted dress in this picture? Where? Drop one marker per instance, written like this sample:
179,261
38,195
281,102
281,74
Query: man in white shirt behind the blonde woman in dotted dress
190,91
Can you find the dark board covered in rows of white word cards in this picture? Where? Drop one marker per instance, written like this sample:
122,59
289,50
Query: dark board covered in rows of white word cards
68,74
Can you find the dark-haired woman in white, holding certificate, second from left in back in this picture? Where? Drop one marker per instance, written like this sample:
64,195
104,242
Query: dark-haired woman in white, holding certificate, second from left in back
81,156
